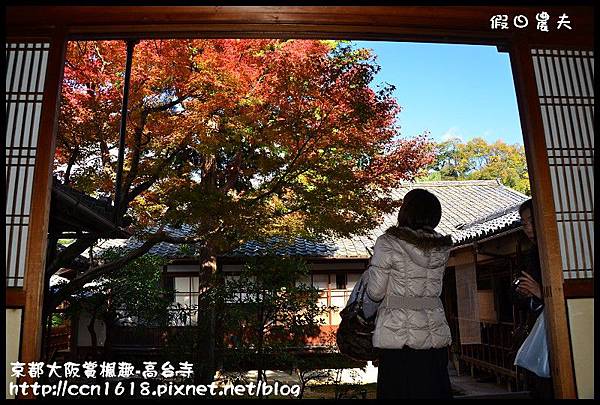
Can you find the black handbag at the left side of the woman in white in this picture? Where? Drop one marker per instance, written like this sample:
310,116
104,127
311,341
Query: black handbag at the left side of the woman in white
354,336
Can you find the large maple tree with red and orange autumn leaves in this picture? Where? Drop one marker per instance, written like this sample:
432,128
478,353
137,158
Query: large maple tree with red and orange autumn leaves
239,139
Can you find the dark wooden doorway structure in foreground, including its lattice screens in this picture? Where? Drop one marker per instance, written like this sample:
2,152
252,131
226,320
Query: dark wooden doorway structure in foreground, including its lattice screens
553,75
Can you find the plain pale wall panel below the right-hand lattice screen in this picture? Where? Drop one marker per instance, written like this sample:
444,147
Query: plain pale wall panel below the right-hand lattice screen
581,328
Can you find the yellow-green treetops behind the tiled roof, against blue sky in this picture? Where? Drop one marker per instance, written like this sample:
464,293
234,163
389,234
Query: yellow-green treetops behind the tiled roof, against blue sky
479,160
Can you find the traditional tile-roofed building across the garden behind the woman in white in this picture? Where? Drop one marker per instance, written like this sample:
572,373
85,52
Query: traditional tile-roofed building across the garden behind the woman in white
482,218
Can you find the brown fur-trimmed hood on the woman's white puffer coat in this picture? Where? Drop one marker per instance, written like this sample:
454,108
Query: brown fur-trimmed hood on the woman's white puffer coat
426,248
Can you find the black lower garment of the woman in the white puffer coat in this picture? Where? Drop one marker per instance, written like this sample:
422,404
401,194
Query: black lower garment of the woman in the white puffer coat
410,373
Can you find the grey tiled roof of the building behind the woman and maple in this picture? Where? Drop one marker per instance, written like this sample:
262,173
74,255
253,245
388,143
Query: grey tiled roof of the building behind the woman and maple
471,209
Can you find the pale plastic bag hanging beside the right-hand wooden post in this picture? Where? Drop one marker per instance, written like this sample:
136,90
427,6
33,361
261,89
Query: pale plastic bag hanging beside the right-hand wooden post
533,353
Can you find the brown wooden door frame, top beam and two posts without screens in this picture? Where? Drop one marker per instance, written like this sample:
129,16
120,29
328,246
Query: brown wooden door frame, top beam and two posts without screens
469,25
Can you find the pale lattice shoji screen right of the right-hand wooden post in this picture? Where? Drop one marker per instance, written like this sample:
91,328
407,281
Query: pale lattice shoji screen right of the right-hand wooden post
566,94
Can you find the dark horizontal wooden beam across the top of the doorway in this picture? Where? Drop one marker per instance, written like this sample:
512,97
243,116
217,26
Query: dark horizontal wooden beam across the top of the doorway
446,24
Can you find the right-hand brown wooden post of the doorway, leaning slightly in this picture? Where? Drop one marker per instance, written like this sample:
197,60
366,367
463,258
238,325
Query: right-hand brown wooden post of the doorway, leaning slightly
545,219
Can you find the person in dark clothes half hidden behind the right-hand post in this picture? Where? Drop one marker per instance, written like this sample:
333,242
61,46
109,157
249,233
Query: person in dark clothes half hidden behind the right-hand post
529,287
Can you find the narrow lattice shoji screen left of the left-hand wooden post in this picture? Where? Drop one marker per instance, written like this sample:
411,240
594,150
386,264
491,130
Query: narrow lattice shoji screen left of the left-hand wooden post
25,74
